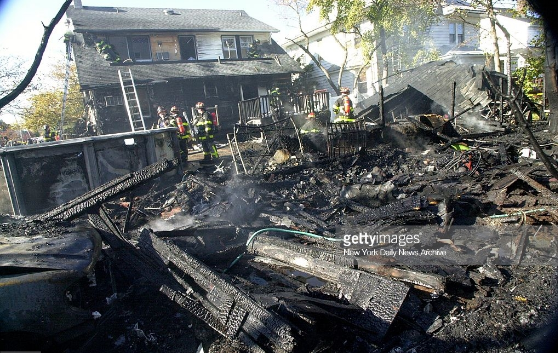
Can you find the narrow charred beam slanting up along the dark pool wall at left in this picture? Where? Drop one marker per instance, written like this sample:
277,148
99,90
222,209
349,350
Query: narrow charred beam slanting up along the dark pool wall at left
97,196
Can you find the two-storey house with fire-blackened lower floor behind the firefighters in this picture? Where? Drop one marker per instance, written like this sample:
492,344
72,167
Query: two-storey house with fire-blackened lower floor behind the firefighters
177,57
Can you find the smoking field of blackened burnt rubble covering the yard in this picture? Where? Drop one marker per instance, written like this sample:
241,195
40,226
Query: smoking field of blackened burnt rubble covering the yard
256,257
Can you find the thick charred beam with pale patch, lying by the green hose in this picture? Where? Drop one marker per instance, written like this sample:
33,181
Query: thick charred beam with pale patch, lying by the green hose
378,297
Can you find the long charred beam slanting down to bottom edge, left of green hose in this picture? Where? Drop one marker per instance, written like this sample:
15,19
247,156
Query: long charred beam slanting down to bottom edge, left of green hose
243,316
